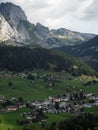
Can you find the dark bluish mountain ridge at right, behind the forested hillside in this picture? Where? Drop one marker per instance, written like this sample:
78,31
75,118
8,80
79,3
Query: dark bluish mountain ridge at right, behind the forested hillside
87,51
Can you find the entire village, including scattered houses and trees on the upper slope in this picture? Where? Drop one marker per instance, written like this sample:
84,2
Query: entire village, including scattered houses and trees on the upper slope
69,102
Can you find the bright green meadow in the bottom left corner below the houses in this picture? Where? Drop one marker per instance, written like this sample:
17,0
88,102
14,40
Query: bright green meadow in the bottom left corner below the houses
8,120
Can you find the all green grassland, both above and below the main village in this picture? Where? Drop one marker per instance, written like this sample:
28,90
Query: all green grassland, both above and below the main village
35,91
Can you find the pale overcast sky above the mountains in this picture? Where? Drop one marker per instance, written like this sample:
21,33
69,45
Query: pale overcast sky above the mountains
77,15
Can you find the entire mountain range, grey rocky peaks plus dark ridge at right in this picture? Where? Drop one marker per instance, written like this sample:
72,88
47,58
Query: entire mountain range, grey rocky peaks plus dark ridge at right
16,30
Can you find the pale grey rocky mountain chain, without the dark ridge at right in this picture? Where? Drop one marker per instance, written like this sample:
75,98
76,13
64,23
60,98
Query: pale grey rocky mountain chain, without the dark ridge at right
14,27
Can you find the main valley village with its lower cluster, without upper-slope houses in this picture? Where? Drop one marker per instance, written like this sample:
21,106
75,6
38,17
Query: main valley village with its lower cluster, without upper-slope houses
57,104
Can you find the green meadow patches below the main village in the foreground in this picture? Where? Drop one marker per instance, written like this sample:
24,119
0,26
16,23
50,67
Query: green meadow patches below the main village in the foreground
9,119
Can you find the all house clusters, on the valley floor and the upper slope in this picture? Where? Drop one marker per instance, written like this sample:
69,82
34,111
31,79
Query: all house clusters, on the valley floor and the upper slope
70,102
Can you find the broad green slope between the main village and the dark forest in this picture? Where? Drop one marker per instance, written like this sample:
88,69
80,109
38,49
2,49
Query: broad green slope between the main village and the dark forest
38,90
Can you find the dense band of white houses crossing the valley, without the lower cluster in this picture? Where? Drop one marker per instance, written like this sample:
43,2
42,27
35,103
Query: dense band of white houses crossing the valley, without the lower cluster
55,104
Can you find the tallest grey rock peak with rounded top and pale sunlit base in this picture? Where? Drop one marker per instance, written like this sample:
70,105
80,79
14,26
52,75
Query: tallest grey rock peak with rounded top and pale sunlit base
11,26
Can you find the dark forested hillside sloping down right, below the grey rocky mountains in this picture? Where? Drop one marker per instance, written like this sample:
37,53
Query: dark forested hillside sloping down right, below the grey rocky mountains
23,58
